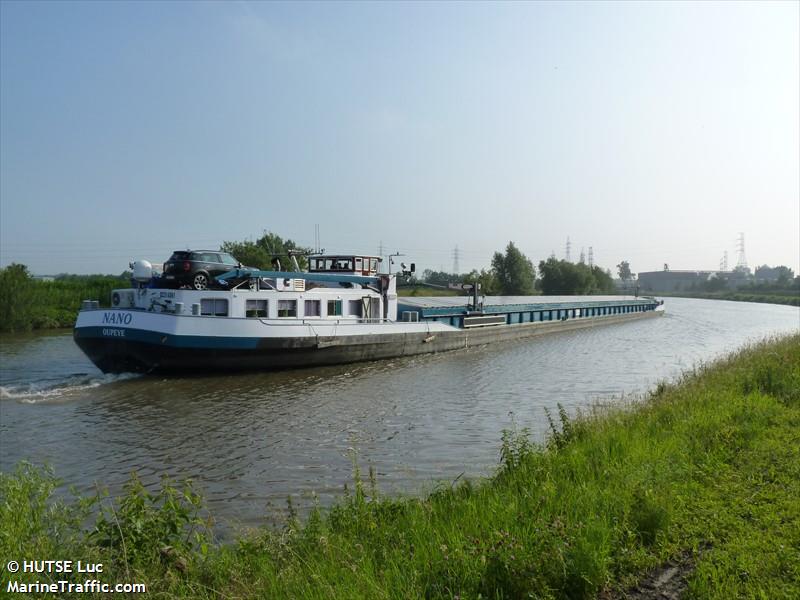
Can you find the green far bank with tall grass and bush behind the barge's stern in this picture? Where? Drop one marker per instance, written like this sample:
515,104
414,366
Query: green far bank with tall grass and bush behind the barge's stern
27,303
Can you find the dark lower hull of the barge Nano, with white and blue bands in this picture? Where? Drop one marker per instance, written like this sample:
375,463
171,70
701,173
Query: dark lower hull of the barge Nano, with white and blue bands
160,345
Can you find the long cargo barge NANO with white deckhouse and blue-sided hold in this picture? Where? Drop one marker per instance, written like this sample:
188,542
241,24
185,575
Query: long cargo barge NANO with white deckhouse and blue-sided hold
342,310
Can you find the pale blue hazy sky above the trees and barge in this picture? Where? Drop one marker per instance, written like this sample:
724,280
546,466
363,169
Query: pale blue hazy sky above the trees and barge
651,132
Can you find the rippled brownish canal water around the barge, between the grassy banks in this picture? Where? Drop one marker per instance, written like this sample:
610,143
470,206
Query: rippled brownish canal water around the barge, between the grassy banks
249,441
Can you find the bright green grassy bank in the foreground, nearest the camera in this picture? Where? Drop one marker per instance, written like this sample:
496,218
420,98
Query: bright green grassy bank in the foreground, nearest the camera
707,468
